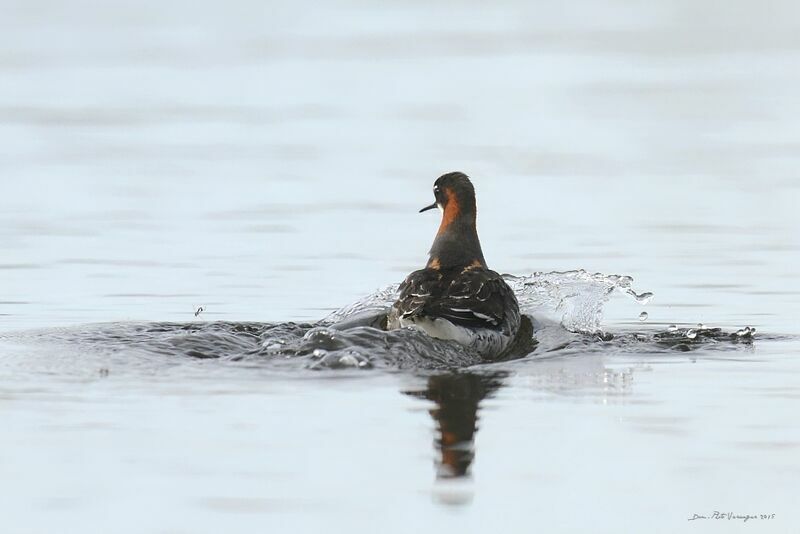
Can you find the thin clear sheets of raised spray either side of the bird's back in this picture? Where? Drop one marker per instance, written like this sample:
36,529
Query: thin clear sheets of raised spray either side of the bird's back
577,297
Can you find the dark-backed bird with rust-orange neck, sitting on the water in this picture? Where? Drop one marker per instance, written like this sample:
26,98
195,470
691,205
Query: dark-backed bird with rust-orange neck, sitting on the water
456,296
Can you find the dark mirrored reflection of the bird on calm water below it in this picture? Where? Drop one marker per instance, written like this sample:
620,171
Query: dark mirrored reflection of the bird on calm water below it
457,398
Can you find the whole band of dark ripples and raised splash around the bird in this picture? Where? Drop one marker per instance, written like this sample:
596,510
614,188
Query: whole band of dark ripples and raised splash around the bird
351,338
